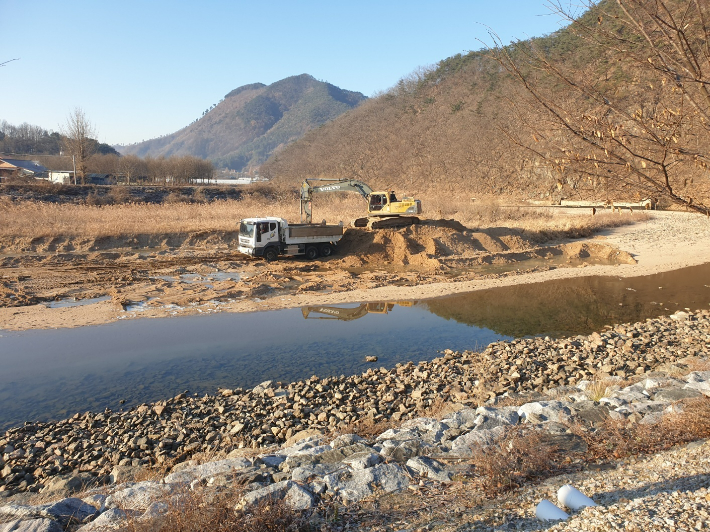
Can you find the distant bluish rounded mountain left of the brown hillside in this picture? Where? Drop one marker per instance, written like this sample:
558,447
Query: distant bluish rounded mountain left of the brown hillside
253,122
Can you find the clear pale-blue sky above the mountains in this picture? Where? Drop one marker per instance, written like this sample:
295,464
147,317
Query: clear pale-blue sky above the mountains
141,69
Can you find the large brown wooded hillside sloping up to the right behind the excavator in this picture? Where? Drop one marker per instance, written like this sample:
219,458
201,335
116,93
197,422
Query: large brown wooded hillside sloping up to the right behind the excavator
468,124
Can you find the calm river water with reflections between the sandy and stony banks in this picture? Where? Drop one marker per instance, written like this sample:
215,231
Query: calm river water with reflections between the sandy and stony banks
50,374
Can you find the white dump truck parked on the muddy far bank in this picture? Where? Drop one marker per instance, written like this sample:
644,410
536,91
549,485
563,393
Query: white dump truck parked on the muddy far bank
270,237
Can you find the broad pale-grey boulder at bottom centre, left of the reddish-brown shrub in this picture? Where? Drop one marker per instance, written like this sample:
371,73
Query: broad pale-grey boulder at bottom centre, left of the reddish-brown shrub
352,486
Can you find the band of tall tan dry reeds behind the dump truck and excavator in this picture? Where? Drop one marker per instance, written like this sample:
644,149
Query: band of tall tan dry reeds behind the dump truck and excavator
109,216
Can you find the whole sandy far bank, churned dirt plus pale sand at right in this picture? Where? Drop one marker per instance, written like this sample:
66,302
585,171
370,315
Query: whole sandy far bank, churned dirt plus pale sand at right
70,281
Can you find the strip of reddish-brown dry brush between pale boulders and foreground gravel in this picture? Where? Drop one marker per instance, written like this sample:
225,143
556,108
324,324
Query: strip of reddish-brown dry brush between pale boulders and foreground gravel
521,457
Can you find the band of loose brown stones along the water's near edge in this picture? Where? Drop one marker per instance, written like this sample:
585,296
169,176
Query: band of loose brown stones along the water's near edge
172,431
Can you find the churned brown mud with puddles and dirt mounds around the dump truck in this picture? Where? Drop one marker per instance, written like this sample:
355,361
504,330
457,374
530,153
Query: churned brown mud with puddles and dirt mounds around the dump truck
162,275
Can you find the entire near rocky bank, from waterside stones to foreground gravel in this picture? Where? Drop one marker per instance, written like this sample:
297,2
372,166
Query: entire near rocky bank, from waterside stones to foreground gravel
549,406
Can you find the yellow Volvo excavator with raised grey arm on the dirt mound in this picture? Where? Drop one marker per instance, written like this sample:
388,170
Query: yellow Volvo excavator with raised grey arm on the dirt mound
383,208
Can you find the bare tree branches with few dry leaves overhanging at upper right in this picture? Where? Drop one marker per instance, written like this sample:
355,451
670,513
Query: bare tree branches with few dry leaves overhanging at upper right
635,118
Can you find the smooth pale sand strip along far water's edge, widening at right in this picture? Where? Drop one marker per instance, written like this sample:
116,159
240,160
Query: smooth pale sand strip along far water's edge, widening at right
664,241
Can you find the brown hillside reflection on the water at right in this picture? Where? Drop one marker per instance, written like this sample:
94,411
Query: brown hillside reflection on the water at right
577,306
